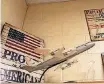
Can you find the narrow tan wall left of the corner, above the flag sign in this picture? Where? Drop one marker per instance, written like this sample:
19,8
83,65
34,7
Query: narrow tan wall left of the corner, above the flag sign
13,12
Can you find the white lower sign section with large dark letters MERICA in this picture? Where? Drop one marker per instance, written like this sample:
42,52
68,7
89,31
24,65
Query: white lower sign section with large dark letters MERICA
12,74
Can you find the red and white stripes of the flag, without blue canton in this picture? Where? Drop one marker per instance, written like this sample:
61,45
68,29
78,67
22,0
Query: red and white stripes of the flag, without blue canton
27,46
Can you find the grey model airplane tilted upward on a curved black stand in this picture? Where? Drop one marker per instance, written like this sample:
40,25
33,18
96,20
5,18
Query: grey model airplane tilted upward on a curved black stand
60,55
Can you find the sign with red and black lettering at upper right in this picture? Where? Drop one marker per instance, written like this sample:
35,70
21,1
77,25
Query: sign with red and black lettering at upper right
95,22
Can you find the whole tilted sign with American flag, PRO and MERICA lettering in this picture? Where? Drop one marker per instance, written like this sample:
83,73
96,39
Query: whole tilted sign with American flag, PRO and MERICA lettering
18,49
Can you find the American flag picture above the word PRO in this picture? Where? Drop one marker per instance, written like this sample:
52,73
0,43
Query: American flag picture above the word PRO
21,41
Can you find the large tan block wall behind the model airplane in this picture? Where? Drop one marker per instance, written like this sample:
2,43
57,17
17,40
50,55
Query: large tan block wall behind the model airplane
64,24
